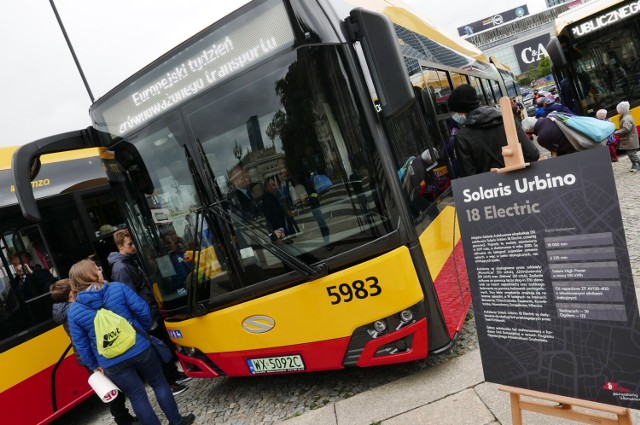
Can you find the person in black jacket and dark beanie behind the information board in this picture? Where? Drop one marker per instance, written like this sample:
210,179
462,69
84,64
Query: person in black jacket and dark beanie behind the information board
482,136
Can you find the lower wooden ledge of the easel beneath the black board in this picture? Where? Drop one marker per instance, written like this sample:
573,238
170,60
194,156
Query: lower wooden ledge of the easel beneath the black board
564,408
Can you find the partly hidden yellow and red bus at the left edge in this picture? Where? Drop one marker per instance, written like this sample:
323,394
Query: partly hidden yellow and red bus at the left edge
36,362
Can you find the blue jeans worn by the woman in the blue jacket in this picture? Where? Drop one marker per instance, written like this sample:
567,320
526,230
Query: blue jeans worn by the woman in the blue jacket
128,376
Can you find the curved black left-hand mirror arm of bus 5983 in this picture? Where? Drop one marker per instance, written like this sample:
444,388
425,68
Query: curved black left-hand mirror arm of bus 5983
26,165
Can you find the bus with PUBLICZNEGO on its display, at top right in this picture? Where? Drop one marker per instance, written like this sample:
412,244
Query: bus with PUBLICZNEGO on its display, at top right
597,51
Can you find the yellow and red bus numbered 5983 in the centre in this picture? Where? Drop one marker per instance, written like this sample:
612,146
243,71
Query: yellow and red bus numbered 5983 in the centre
285,174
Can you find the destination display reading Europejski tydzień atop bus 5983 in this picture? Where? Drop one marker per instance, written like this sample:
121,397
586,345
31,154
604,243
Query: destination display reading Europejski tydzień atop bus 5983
210,60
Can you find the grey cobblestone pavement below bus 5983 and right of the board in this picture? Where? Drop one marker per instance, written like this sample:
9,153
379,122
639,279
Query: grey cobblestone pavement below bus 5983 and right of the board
272,399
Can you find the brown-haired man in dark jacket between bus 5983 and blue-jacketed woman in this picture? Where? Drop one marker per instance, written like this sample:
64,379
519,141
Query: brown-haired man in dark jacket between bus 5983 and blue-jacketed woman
126,269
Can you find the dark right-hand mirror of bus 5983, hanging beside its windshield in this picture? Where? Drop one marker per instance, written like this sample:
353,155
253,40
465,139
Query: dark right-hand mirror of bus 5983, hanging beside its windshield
382,52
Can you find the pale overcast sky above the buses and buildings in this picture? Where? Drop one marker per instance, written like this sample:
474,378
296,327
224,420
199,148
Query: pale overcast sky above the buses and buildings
41,92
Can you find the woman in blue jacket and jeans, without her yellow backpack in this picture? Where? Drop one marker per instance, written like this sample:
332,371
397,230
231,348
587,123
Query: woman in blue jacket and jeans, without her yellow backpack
139,361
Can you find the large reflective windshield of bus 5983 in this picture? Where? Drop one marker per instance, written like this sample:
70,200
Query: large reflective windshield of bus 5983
290,169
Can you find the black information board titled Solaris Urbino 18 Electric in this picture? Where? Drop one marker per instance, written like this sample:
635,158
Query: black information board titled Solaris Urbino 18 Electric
551,280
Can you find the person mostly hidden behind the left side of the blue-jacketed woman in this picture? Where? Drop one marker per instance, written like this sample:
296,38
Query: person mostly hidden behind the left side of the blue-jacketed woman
61,295
